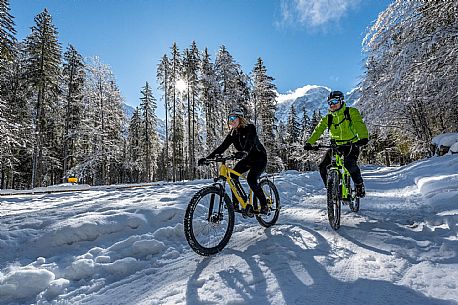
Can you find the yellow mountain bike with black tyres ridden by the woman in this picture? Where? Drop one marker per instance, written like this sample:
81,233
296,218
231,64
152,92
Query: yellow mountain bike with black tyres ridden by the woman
210,216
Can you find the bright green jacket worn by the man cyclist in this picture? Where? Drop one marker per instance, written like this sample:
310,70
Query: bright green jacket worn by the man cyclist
342,130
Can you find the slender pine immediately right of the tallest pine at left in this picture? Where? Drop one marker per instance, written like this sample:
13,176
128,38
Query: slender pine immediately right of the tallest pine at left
73,90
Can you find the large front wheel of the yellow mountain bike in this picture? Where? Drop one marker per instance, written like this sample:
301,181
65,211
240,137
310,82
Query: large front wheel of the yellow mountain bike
209,221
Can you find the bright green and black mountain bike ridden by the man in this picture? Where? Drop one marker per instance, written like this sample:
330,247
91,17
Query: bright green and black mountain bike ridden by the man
340,186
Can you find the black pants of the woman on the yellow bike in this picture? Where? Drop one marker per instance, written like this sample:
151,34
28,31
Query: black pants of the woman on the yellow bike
256,168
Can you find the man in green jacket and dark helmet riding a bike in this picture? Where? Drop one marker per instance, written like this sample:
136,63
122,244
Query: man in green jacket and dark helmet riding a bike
345,126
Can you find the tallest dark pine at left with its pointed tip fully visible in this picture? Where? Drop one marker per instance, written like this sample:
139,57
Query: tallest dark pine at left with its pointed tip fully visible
43,72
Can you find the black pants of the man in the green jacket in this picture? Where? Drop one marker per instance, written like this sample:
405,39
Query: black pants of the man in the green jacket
351,154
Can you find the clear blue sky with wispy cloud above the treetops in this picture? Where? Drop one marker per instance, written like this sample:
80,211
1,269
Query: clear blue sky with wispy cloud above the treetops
302,42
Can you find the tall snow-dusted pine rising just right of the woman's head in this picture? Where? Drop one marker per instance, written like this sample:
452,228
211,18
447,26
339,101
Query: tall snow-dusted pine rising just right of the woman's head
264,101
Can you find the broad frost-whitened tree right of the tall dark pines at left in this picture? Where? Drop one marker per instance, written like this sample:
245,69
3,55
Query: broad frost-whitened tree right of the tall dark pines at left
101,161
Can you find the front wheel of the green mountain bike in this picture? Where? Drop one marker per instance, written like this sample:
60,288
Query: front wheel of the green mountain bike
333,199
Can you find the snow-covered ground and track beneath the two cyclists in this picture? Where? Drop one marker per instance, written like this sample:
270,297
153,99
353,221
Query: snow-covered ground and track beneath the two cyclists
108,246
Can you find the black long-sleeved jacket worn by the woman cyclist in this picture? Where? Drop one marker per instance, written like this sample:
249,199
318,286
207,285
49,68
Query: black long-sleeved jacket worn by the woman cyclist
243,139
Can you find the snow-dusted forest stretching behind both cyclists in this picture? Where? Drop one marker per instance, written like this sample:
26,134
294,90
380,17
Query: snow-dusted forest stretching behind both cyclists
62,115
